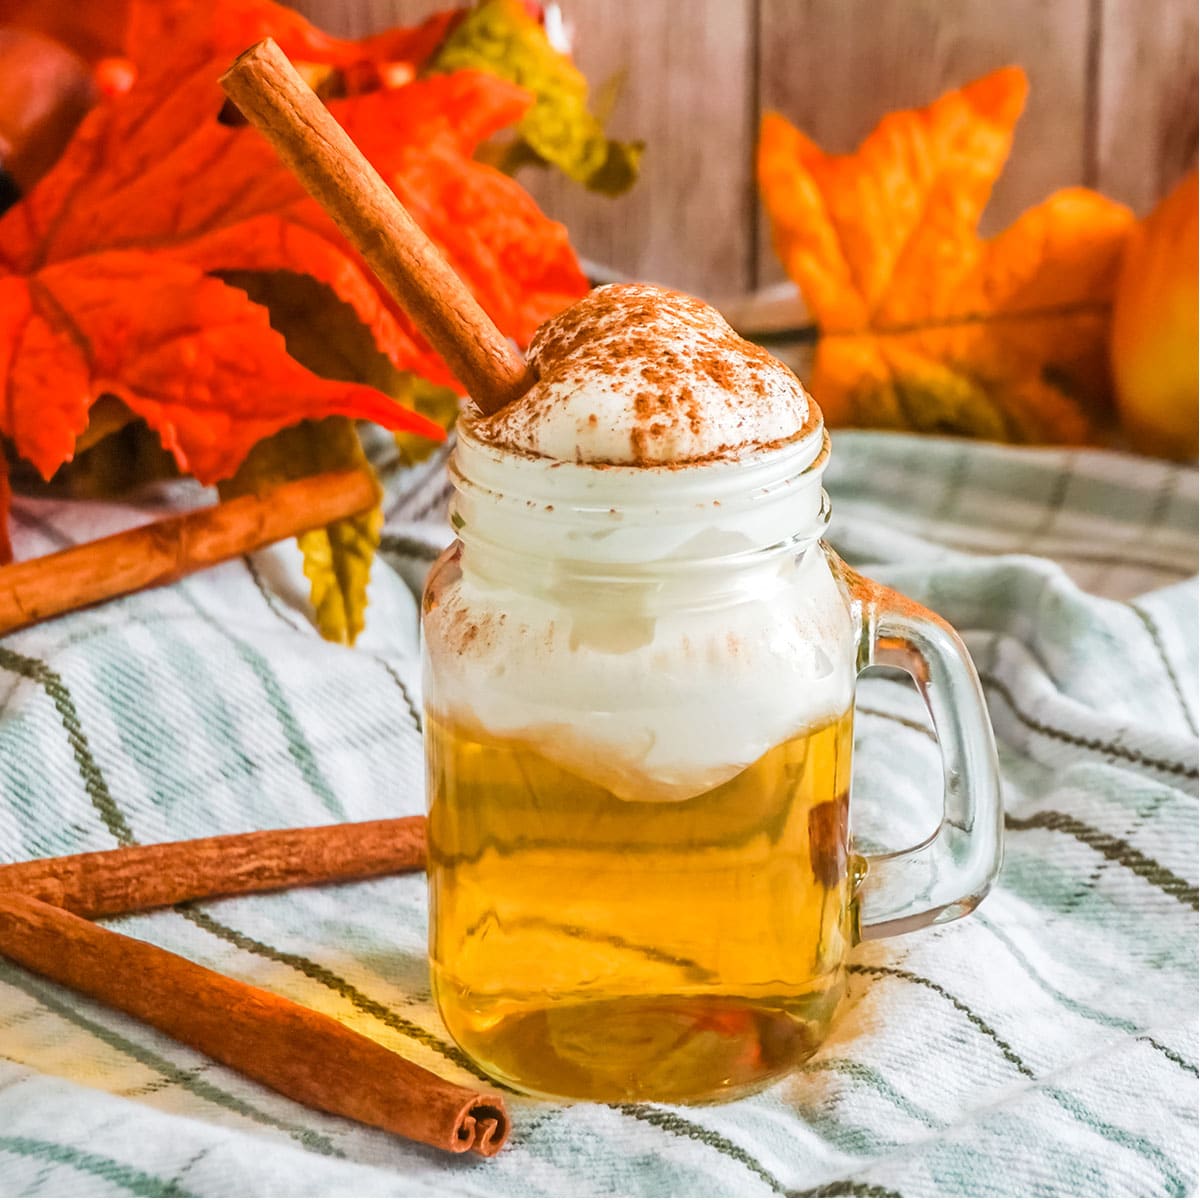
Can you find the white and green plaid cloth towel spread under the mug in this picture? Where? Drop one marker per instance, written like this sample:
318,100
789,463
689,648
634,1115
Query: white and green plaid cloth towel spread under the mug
1045,1047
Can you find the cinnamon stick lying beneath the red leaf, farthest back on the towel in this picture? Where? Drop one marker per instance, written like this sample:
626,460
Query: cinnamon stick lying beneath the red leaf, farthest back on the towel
167,550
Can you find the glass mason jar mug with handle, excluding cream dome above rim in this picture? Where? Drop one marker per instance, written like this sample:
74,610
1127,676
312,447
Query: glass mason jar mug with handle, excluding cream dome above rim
639,687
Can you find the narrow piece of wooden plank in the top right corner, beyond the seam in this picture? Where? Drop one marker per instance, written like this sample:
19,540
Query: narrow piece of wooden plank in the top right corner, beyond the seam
1147,98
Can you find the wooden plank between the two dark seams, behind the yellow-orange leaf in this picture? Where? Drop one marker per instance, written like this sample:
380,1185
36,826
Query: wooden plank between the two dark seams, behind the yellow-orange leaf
835,68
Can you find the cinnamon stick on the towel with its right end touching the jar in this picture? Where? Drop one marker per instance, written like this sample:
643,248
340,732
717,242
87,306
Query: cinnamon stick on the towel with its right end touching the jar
111,883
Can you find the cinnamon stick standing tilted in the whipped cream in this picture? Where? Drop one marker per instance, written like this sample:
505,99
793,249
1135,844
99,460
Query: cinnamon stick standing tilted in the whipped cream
317,151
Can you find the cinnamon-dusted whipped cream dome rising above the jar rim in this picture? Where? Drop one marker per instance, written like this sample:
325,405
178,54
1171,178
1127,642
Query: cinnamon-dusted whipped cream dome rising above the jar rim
641,376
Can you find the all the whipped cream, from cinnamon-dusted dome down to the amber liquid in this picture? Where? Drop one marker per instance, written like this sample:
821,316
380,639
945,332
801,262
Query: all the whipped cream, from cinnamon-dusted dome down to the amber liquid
643,597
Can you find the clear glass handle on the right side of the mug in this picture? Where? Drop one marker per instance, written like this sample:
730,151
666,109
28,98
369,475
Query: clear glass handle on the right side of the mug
947,875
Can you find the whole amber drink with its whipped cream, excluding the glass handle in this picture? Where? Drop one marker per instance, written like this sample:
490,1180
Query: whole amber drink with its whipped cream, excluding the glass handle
639,694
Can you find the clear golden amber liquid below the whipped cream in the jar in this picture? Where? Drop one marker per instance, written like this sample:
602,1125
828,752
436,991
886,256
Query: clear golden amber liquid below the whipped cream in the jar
599,949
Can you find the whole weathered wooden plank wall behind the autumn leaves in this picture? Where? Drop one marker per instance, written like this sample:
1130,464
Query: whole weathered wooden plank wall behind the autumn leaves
1113,105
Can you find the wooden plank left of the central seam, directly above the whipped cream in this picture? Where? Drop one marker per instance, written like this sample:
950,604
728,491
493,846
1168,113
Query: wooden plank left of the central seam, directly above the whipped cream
688,93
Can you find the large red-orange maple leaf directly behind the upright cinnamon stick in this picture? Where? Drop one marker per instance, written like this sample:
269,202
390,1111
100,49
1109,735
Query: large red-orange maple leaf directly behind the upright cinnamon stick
104,268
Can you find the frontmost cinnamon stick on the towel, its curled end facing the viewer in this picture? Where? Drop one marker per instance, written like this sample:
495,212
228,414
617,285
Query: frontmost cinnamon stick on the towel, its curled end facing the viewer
298,1052
